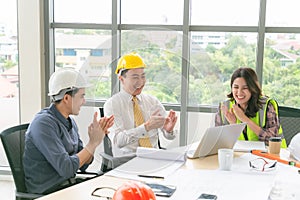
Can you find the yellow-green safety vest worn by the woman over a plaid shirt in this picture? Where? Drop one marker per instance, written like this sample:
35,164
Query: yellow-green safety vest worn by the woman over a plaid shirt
259,119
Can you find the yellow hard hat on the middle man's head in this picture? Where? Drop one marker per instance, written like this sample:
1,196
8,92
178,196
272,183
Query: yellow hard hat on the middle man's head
130,61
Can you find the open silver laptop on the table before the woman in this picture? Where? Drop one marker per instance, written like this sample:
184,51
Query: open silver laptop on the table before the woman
215,138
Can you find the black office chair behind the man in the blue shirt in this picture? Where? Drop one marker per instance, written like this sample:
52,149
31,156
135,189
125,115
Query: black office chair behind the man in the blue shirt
13,140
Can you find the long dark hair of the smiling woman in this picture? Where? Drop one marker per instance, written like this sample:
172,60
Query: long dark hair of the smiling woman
254,103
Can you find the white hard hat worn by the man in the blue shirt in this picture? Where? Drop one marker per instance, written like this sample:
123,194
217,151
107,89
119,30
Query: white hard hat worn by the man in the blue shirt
65,78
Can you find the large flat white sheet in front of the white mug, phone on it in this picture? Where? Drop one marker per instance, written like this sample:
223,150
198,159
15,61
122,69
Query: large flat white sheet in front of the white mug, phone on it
226,185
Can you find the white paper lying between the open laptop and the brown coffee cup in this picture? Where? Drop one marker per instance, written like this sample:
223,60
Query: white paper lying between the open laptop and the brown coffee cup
247,146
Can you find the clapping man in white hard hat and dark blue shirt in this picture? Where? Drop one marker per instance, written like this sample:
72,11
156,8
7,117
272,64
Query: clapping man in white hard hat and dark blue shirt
54,151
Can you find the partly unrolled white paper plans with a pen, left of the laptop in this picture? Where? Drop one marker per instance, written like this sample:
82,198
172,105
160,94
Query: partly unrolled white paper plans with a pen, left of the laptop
150,162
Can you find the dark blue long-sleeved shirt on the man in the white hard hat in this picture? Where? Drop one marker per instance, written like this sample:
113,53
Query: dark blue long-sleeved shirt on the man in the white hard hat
51,145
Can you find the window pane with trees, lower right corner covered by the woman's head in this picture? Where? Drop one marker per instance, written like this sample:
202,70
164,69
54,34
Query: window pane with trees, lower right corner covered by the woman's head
214,56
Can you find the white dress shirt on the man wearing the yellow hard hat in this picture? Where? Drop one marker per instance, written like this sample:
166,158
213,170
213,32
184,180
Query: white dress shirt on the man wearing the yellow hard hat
125,133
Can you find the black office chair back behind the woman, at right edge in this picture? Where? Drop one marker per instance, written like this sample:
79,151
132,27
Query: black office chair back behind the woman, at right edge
290,121
